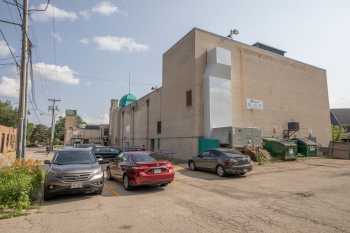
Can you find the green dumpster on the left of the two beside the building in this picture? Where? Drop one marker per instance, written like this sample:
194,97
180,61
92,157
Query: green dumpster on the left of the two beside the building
286,150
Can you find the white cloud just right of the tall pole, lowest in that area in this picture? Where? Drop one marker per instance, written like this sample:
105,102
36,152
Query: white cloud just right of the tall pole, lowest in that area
57,73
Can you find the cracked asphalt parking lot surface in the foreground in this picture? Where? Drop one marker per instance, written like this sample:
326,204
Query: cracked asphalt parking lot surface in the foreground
310,195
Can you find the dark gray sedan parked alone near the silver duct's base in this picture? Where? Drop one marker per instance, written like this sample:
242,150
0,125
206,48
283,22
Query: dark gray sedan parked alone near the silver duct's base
221,161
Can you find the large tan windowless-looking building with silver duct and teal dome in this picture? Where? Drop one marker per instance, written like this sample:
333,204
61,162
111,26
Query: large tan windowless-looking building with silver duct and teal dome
213,88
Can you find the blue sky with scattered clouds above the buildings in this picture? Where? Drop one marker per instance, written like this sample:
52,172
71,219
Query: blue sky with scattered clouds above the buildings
98,43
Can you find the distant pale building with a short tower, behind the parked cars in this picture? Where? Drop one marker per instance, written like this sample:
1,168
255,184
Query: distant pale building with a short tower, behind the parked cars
83,134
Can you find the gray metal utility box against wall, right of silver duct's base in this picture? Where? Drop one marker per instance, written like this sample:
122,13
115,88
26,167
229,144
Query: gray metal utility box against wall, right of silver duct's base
246,136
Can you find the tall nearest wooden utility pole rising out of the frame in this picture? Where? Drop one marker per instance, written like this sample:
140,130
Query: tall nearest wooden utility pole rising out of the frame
22,106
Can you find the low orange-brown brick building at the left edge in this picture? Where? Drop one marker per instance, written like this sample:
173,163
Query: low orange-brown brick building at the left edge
7,139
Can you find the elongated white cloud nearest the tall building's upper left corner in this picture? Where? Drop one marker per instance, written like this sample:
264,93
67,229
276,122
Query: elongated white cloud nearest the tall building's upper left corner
113,43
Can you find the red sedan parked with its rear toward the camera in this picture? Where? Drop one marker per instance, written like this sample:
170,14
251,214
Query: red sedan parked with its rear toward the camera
136,168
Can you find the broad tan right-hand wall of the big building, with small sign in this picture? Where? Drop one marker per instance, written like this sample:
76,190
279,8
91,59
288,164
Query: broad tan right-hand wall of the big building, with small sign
290,90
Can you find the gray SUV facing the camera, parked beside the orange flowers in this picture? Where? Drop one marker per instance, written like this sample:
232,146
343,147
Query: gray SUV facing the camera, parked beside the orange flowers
73,170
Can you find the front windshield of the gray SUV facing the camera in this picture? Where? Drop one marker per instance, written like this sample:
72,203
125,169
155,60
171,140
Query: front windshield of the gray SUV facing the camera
74,157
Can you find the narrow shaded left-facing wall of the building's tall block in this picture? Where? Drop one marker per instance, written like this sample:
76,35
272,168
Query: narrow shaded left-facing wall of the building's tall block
180,122
